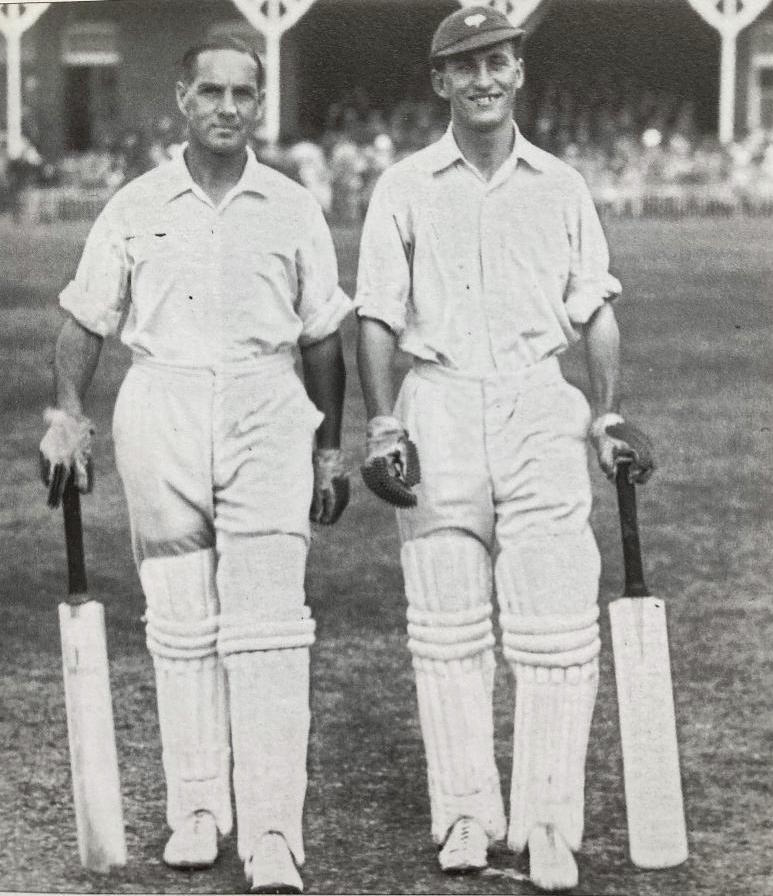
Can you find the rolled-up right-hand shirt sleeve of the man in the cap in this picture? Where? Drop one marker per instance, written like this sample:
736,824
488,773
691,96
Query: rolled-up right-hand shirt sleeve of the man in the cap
590,284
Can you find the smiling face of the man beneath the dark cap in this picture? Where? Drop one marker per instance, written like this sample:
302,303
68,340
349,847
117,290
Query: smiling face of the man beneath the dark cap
480,86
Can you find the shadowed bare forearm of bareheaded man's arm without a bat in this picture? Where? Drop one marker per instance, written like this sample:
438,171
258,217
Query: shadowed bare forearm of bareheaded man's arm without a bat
324,373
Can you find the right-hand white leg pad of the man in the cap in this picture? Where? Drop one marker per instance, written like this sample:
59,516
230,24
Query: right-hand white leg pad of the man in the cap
551,641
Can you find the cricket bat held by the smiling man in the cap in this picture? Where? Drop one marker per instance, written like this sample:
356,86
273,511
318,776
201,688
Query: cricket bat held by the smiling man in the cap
653,789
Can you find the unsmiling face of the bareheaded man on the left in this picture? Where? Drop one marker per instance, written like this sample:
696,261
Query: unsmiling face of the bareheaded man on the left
223,104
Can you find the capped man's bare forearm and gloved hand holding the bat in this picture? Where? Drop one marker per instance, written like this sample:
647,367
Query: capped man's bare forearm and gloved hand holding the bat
613,438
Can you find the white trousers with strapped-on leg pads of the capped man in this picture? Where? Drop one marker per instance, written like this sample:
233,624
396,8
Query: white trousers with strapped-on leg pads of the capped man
503,508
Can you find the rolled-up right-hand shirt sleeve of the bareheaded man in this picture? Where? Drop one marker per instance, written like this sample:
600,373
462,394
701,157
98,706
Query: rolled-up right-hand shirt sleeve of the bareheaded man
322,304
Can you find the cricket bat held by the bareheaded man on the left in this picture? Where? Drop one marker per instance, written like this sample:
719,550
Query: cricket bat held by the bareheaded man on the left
93,757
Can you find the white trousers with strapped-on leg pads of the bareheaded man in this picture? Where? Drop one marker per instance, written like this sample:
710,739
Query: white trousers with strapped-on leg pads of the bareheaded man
216,466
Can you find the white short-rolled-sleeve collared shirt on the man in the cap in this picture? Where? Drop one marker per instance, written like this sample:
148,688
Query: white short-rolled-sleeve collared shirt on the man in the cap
482,276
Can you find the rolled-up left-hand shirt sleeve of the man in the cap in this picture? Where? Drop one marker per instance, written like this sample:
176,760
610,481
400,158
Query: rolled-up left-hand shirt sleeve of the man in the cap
384,271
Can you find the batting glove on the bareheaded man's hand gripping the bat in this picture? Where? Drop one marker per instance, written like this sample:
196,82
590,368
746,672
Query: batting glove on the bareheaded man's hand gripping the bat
64,450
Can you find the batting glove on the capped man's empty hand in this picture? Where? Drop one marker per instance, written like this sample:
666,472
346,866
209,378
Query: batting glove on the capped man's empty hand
391,467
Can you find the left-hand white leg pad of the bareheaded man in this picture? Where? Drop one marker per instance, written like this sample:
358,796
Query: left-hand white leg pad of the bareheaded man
181,629
